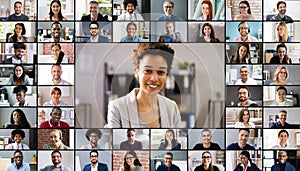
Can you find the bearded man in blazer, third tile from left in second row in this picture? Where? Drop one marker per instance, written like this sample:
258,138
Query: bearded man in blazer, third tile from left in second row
95,37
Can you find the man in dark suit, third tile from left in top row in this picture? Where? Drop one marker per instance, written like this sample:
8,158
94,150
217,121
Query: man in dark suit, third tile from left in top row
94,15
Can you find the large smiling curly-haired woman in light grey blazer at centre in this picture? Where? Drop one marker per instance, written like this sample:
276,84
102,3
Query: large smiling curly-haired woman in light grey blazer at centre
144,107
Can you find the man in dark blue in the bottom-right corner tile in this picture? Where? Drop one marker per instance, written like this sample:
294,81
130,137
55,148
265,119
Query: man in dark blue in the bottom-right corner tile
282,164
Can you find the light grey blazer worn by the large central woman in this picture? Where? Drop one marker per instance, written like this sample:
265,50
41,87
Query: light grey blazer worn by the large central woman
123,113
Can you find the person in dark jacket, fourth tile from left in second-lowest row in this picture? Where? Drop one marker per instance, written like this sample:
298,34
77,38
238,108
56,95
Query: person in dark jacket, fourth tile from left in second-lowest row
131,143
